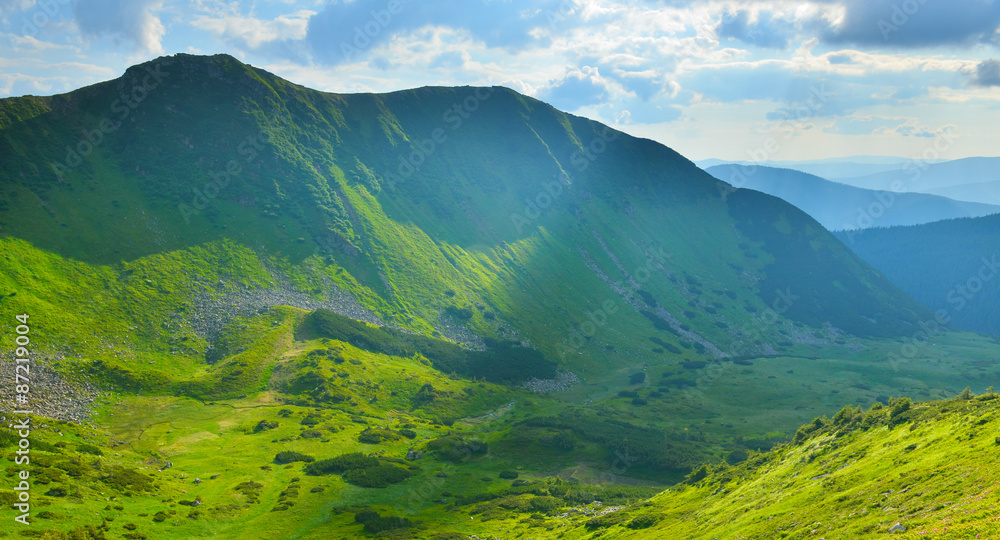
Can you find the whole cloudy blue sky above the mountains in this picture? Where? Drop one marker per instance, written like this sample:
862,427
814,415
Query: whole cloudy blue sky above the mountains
773,80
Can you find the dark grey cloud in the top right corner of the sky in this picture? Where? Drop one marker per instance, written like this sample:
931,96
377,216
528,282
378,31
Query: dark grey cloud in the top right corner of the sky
916,23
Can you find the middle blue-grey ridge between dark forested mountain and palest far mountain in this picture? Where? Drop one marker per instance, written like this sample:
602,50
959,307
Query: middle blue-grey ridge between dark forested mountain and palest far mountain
839,206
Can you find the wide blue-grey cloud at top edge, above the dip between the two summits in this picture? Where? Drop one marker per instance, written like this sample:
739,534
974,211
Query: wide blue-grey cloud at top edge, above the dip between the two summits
344,30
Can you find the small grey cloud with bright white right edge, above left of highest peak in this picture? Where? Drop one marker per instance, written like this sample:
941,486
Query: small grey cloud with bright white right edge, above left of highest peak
129,20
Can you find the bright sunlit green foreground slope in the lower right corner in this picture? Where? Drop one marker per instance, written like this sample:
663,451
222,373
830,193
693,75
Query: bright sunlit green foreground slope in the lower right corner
925,467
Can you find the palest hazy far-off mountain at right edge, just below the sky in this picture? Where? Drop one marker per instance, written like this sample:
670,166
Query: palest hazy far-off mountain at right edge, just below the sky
928,177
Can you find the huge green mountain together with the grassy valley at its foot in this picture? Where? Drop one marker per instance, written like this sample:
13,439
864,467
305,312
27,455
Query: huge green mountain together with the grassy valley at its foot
384,308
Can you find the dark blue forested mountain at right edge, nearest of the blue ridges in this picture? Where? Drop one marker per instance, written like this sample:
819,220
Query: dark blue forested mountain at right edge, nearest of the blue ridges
949,266
